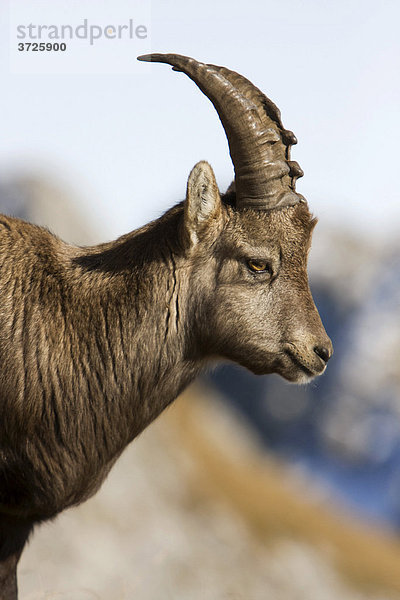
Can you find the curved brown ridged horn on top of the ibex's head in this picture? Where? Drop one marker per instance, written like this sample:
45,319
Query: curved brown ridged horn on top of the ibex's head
259,145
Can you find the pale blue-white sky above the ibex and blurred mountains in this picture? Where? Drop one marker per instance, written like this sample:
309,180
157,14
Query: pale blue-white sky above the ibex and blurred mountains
124,144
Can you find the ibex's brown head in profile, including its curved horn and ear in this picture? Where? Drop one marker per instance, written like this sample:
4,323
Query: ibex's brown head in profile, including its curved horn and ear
248,249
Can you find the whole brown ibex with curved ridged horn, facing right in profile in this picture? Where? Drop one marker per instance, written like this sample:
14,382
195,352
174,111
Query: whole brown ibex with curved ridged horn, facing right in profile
95,342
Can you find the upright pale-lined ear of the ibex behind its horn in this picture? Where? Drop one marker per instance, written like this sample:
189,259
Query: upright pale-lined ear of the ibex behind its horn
203,211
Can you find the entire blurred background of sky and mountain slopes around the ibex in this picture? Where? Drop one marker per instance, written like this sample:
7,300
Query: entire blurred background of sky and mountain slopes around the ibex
246,488
